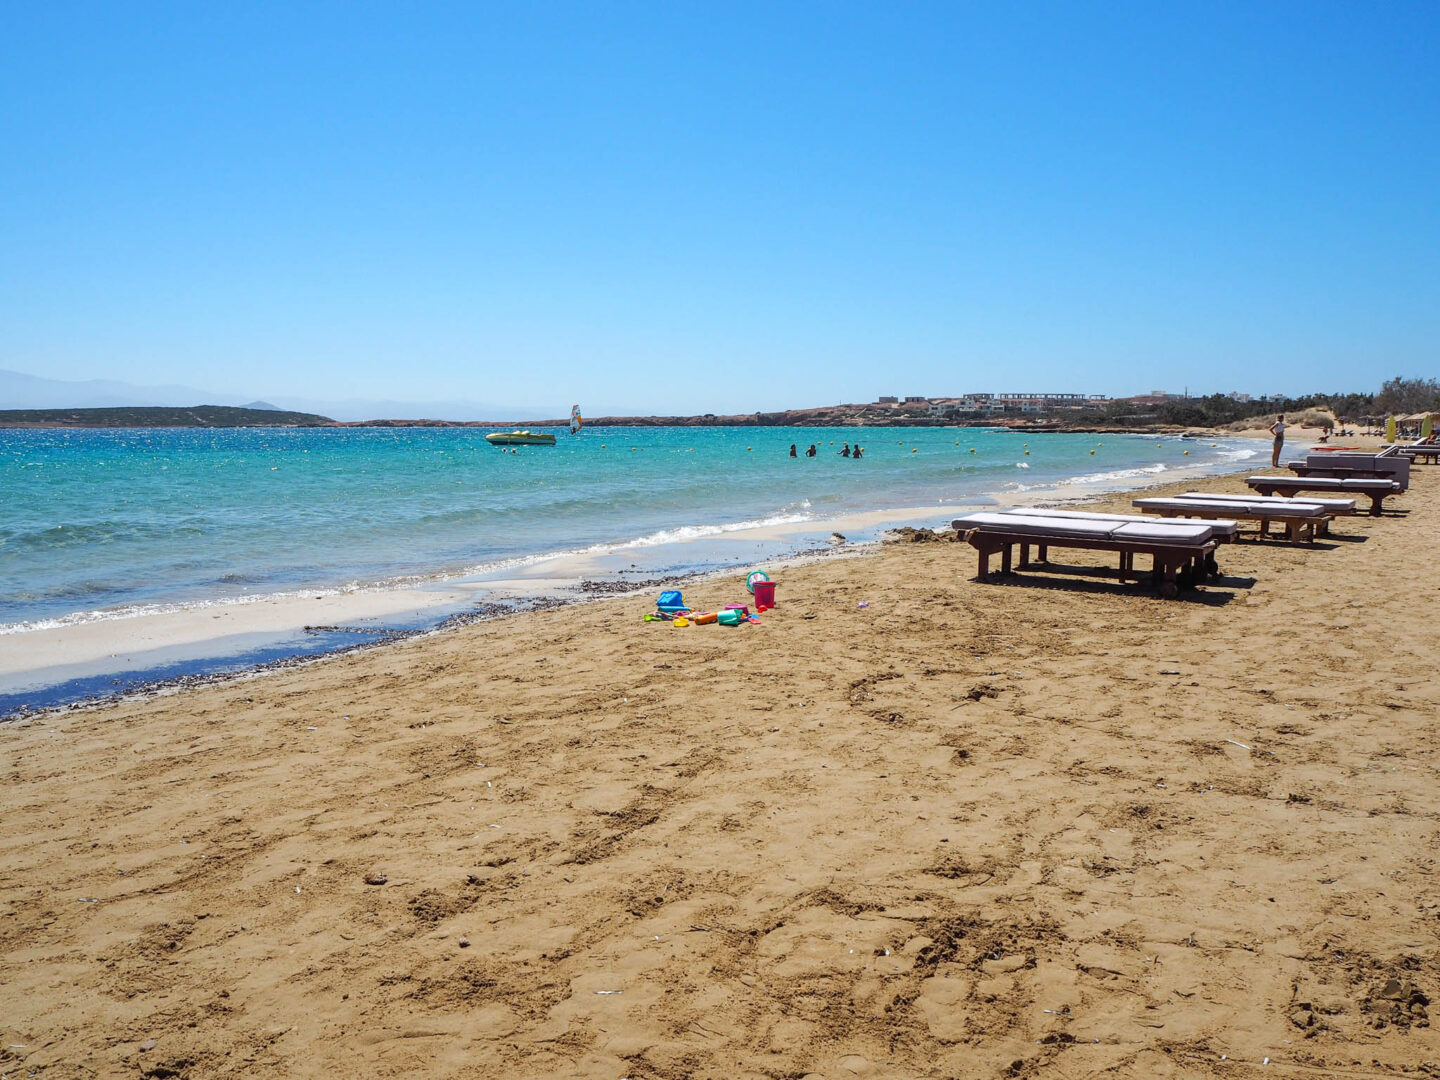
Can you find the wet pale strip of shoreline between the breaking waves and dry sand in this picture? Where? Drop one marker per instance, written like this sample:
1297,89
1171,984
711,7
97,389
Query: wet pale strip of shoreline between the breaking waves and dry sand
163,652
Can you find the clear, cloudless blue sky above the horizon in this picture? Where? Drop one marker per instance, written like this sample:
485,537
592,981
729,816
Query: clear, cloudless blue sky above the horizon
678,208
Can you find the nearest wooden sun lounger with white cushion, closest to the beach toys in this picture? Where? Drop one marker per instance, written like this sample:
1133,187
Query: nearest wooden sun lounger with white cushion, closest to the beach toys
1182,554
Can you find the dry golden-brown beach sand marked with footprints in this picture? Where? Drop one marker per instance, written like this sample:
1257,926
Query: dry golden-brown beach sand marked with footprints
1052,826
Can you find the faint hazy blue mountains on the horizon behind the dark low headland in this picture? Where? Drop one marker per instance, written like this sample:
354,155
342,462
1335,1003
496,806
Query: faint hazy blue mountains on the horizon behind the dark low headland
19,391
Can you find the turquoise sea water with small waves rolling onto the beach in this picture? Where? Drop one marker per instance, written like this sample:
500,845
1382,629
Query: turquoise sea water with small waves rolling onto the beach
100,525
